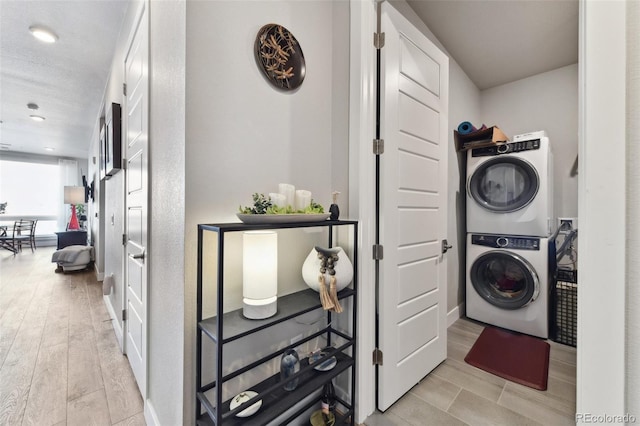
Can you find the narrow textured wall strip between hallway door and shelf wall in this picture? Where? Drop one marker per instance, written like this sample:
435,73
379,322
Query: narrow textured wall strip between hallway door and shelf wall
166,395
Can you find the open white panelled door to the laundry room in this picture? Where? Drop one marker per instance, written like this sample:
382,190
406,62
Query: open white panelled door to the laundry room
413,221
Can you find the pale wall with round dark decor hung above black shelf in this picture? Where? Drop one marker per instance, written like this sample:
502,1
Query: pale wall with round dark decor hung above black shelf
245,136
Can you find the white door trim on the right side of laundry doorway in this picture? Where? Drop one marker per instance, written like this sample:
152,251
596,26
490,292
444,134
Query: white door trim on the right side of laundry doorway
601,209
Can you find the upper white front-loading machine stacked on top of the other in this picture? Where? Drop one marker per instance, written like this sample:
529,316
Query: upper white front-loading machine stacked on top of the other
510,187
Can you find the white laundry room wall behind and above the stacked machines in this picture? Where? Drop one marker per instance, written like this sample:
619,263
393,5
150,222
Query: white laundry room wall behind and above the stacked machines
547,101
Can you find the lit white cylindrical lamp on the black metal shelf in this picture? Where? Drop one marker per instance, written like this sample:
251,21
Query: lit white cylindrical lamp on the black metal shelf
259,274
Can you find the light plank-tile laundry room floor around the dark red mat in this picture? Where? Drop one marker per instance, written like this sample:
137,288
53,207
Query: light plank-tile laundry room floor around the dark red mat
455,393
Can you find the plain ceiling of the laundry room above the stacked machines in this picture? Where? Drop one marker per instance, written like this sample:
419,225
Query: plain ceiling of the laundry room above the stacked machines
497,41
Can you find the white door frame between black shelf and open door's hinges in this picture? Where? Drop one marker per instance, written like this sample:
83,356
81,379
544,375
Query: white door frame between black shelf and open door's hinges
362,192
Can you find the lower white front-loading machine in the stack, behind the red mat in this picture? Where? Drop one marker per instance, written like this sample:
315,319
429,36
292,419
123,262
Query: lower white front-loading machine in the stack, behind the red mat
508,282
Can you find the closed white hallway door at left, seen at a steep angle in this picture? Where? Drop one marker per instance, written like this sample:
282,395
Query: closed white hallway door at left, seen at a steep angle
136,108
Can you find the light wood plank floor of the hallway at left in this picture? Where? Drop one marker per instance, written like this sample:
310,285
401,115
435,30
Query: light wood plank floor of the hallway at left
59,360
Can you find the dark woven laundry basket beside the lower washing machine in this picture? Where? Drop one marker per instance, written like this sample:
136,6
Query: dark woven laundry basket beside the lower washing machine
564,308
